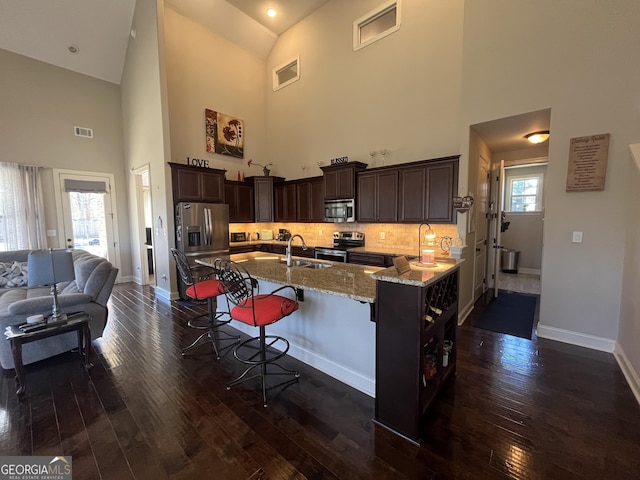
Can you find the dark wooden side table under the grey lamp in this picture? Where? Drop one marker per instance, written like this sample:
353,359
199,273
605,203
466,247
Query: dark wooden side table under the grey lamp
78,322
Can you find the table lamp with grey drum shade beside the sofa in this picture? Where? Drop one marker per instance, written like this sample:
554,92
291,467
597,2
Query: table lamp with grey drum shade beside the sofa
48,268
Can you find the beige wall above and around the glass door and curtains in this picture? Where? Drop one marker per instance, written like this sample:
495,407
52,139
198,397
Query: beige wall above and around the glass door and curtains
40,105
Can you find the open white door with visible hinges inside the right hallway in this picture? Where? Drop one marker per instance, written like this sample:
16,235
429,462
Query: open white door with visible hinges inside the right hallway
495,222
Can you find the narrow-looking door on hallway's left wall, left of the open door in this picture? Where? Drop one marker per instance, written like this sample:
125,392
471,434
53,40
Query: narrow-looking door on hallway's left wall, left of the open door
482,208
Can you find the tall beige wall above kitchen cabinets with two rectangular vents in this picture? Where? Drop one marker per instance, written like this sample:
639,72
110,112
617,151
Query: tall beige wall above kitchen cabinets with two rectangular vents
401,93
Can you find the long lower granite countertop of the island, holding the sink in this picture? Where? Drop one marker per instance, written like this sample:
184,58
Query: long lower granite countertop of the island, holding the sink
342,279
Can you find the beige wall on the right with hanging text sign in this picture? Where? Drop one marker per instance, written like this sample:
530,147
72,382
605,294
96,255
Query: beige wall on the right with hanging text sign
584,76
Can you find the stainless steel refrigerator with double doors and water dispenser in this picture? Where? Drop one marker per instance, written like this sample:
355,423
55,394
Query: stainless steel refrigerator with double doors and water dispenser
202,230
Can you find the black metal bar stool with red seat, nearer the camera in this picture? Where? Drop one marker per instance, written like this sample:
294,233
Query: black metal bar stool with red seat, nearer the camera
259,310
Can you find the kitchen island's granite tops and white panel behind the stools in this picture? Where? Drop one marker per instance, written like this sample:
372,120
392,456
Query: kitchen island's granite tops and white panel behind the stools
334,329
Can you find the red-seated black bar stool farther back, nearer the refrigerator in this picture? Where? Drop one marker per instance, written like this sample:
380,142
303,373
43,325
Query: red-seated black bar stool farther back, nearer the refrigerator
200,289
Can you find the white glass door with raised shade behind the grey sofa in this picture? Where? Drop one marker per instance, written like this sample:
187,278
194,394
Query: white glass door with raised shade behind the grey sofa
85,207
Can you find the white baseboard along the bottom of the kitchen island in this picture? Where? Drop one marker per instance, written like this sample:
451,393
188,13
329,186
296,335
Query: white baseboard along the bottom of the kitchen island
339,372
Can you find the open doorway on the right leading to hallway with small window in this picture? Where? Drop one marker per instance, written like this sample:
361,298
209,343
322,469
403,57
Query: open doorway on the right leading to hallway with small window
503,144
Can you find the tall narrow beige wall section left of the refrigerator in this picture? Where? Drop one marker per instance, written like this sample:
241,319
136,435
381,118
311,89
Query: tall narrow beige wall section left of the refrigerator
146,138
